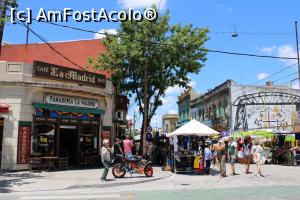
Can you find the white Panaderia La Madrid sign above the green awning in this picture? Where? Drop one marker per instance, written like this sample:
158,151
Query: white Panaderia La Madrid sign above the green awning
71,101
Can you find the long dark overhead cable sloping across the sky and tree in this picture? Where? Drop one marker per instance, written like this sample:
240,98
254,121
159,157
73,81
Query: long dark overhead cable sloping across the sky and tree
165,44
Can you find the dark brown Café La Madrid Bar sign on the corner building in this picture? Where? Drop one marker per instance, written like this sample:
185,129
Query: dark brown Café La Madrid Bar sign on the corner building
56,72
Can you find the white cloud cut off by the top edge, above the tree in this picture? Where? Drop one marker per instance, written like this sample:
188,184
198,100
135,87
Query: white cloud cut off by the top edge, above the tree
142,3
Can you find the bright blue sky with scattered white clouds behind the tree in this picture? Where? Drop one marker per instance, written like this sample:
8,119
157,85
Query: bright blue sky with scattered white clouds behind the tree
264,27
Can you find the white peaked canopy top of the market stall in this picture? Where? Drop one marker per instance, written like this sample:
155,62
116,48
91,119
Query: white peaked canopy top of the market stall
194,127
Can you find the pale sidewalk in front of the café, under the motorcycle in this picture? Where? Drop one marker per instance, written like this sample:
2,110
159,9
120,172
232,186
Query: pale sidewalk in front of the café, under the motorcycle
69,179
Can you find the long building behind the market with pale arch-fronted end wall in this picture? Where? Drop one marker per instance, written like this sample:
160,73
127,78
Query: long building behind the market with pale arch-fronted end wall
231,107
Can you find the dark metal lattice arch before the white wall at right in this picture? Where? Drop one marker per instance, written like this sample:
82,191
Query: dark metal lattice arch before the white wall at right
260,98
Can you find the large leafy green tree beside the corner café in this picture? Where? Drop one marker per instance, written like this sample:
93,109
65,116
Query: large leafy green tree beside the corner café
155,54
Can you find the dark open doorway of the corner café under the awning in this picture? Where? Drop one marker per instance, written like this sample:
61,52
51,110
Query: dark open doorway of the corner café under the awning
69,143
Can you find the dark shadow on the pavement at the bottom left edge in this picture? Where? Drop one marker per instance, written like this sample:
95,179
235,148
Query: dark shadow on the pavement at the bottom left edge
10,179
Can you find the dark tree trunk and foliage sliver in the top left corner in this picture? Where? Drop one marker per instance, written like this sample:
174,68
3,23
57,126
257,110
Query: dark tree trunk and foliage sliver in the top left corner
5,5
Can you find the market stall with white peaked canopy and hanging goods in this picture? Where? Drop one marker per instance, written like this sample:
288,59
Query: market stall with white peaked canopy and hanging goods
188,141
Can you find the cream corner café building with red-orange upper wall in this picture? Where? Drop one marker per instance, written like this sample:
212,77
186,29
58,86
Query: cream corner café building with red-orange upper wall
51,107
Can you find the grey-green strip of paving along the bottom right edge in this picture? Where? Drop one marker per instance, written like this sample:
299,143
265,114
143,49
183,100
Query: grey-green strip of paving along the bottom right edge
247,193
